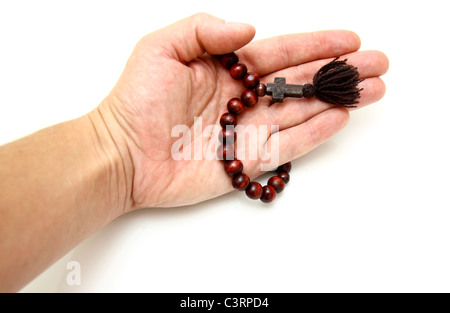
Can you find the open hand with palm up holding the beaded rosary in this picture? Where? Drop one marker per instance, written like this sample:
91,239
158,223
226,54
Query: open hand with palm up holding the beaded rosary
169,80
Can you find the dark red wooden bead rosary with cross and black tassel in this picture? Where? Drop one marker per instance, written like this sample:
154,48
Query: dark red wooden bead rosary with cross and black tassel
335,83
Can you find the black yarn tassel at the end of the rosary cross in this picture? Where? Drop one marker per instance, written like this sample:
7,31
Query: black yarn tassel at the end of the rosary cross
336,83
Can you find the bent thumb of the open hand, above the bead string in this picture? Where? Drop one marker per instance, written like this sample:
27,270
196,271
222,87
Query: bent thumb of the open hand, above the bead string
191,37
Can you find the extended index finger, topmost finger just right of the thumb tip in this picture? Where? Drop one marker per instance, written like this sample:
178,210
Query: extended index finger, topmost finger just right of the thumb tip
277,53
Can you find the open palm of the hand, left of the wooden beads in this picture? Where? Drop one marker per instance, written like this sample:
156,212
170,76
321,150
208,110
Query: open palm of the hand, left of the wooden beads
199,89
